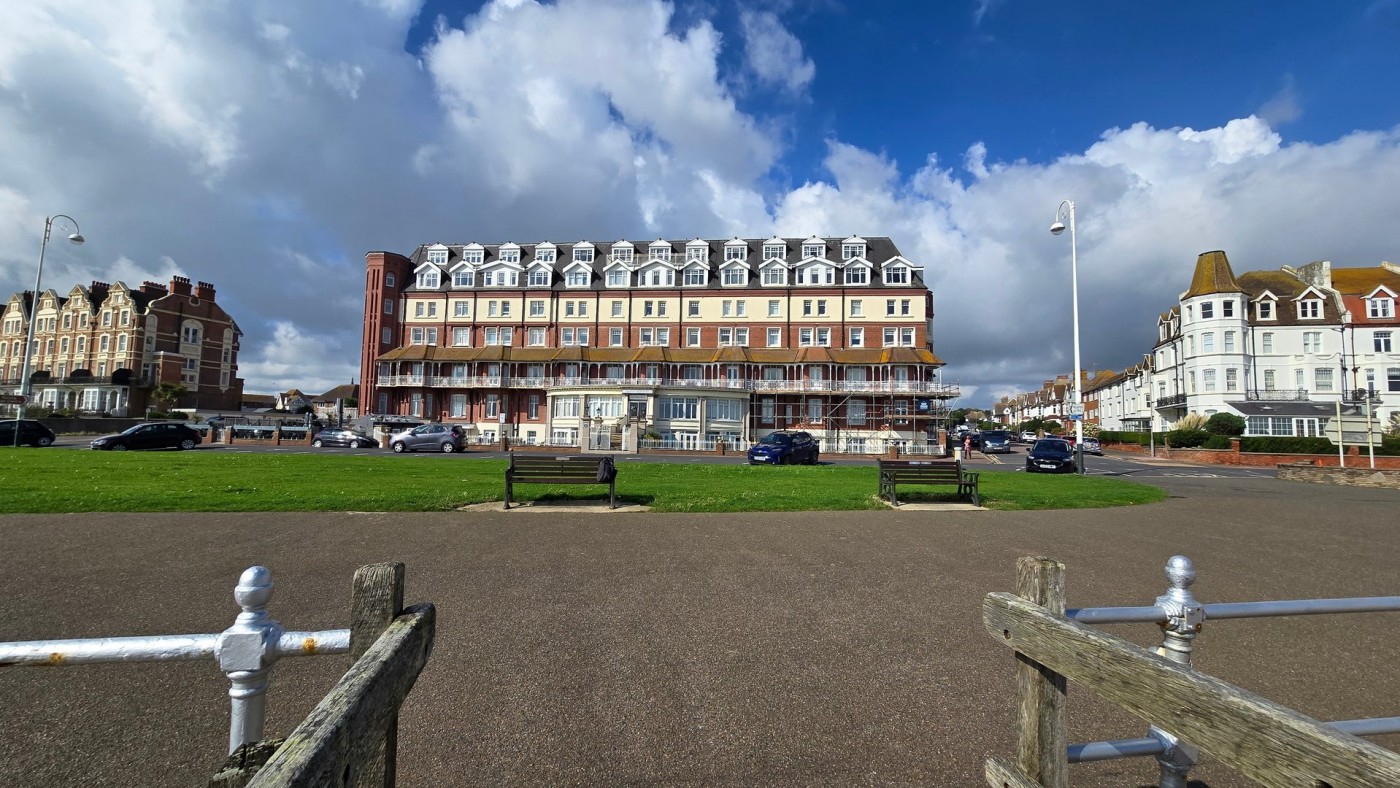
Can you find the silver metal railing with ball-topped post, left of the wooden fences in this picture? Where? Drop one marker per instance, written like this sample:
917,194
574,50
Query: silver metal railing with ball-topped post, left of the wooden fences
246,653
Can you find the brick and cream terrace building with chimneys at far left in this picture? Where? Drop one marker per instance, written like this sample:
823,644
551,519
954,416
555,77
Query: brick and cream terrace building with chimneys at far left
103,348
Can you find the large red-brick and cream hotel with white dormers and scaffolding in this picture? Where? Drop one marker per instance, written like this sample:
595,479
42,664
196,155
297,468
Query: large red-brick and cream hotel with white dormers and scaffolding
598,344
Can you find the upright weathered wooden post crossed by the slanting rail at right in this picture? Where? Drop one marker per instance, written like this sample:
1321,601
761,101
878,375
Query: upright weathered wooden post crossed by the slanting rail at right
1041,692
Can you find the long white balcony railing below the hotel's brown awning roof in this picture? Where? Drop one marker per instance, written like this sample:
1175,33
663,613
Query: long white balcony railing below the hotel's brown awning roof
793,387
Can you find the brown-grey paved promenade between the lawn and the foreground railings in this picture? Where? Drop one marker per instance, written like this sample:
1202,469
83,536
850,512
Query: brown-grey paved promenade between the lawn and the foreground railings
709,650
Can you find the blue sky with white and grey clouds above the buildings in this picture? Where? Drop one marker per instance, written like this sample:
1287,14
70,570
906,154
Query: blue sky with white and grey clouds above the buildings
267,148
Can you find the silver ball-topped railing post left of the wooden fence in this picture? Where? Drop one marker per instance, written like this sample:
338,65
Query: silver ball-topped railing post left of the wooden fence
247,653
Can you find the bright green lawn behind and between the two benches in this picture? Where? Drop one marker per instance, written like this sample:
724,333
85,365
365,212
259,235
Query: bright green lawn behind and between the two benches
47,481
